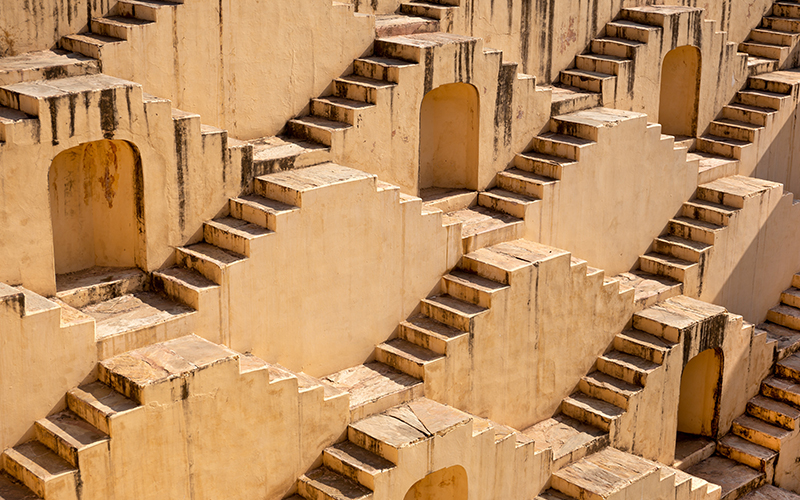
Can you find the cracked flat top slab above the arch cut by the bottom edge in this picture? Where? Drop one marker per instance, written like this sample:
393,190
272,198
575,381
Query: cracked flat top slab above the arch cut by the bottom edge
405,425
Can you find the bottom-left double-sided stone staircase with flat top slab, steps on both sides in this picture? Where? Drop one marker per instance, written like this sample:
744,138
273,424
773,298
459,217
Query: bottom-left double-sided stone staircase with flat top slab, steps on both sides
73,450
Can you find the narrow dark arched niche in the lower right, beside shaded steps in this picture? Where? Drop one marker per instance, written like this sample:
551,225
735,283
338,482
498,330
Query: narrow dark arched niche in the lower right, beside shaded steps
701,387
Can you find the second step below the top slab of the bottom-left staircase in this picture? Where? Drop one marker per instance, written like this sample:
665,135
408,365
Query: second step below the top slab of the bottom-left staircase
68,435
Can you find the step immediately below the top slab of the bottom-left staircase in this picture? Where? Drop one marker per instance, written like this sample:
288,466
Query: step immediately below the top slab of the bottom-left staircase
100,405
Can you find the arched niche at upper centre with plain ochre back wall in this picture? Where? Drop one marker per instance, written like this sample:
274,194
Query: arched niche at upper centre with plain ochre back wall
448,140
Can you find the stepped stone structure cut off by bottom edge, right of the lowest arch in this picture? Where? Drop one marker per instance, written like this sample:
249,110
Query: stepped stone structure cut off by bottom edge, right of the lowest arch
611,473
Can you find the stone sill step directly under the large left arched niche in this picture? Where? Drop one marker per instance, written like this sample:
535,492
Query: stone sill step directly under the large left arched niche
98,284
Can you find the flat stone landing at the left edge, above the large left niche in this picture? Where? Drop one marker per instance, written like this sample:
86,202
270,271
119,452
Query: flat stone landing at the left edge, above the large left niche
45,65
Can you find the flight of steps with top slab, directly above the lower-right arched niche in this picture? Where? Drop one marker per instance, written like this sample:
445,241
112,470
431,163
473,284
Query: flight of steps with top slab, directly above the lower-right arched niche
682,253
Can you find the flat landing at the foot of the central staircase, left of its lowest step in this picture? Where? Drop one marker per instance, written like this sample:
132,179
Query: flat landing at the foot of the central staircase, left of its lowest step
375,387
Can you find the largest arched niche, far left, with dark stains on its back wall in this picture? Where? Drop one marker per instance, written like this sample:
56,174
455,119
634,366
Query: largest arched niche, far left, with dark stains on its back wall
95,214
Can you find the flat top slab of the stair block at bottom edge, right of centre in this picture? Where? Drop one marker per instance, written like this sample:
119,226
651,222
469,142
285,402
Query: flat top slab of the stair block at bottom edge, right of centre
605,474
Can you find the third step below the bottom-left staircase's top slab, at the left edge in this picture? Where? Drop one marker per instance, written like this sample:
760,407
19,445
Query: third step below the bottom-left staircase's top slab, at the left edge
41,470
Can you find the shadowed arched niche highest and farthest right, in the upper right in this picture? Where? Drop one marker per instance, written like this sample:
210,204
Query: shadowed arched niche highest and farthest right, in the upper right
680,91
